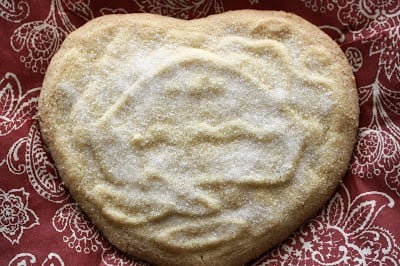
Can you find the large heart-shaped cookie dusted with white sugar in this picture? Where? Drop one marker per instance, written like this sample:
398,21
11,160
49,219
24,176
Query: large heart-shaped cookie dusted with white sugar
202,142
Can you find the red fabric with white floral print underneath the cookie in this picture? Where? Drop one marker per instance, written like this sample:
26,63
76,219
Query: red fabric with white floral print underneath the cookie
41,225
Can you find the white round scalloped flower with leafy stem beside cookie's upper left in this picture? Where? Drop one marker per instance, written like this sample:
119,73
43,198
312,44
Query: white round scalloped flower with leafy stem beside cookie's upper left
38,41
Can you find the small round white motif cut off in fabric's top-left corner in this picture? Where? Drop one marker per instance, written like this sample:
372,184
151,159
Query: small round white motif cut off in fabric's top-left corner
14,11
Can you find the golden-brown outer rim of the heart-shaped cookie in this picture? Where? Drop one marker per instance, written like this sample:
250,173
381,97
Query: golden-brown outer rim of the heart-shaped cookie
345,124
